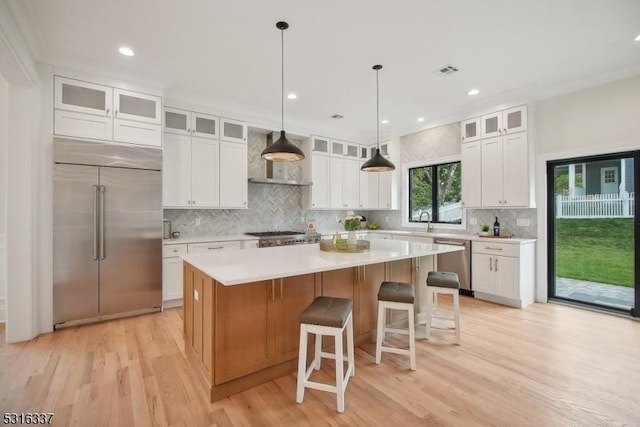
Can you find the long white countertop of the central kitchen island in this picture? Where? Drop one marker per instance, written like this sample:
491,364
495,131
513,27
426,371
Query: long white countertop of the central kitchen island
234,267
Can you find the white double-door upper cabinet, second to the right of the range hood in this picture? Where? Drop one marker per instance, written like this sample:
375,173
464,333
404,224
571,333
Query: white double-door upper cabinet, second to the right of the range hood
344,187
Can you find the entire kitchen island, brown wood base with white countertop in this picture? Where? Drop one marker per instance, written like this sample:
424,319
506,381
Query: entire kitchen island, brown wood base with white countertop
242,307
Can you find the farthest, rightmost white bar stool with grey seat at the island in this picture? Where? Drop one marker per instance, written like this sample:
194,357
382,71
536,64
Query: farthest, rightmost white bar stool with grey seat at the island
441,282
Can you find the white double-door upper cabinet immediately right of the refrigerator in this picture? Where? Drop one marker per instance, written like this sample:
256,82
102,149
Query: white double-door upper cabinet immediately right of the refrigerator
190,173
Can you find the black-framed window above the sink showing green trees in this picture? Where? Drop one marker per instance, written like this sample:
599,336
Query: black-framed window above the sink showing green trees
435,185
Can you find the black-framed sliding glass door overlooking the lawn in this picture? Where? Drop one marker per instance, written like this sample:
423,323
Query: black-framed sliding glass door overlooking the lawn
594,232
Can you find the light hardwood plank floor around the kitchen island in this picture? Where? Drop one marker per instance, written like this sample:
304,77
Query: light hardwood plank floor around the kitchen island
546,365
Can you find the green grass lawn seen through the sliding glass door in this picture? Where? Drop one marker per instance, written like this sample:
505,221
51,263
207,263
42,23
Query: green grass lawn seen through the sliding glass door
597,250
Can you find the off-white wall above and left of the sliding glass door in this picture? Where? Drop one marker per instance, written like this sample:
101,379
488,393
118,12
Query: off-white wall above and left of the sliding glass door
598,120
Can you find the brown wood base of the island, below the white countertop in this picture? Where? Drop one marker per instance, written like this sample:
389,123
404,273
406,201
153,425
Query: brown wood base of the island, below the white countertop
237,337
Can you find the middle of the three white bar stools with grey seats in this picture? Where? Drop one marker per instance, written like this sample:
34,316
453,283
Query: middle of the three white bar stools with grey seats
397,296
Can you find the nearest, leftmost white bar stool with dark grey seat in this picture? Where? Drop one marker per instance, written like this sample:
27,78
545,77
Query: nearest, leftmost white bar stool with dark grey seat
326,316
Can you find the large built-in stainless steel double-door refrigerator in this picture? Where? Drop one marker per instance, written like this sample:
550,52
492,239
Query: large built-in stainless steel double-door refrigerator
107,231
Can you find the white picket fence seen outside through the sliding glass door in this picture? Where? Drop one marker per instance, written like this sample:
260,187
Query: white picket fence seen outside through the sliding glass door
596,206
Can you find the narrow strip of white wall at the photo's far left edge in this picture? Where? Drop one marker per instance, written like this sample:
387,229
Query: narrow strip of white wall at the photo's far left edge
4,111
